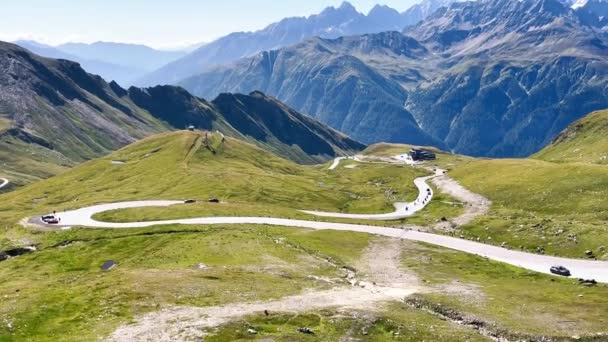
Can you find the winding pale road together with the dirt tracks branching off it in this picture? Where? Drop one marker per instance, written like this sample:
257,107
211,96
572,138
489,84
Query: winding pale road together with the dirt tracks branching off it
184,323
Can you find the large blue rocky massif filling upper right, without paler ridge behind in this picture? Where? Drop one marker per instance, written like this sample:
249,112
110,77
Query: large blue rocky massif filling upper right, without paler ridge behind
487,78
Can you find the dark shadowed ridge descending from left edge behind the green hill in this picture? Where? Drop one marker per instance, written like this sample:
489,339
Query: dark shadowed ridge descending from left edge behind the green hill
53,114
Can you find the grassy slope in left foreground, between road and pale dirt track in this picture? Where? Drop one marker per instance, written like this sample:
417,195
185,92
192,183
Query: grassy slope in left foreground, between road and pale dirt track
158,268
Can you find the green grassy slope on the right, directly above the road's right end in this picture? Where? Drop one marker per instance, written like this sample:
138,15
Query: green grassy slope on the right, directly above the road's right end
559,207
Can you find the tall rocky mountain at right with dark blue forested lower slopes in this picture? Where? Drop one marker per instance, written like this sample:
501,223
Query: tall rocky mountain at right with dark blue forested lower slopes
518,72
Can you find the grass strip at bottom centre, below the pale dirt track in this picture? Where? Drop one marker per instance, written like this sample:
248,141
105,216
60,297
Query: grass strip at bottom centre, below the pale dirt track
397,322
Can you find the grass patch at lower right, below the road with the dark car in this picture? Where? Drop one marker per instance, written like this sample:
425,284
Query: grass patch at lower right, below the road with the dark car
508,298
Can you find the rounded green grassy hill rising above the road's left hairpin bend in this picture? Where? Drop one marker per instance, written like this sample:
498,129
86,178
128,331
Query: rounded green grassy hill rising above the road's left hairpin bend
179,165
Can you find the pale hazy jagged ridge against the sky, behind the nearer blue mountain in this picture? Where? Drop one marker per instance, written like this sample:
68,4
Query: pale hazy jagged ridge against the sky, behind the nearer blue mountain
330,23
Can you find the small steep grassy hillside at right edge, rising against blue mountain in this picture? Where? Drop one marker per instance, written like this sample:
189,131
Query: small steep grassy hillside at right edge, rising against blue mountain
584,141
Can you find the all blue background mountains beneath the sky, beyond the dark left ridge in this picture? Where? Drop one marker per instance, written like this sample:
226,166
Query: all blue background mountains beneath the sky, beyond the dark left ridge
496,78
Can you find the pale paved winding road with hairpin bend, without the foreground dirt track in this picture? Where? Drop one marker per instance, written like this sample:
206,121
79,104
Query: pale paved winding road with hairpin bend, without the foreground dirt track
476,205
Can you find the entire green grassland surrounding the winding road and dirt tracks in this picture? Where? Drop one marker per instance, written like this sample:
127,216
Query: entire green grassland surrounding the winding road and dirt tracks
60,293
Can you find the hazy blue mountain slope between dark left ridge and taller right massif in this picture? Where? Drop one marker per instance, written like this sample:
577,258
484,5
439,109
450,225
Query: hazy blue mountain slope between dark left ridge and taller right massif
346,83
